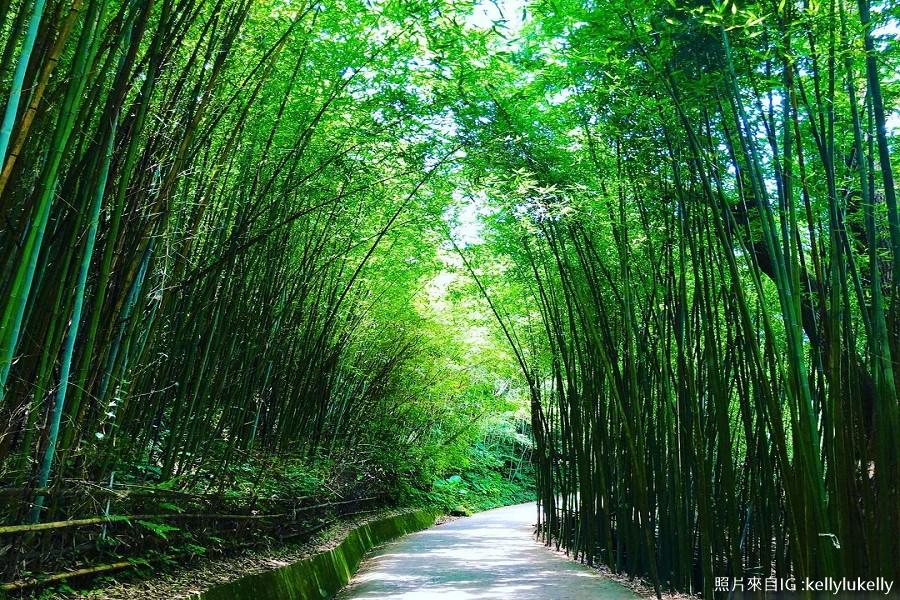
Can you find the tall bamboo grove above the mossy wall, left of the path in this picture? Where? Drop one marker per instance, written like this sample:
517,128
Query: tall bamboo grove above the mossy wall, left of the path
192,195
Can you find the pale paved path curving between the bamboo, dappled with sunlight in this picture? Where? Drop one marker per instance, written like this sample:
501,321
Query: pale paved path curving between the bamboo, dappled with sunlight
490,556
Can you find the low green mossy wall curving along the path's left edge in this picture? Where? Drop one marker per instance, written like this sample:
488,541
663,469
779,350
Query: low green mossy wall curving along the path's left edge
321,576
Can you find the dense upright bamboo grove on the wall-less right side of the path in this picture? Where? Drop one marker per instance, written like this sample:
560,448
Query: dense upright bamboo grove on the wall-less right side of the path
701,201
